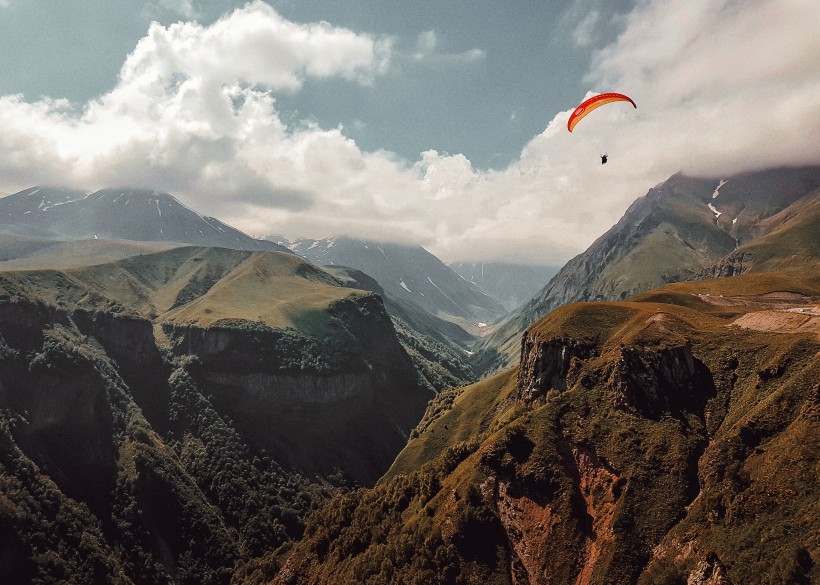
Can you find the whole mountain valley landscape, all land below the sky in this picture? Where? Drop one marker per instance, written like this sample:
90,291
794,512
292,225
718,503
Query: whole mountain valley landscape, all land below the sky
182,403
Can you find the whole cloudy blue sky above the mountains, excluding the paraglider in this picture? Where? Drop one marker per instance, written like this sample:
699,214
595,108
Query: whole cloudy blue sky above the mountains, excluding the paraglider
426,122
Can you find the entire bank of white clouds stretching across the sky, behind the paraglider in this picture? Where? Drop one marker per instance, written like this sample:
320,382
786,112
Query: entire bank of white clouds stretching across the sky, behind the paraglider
194,113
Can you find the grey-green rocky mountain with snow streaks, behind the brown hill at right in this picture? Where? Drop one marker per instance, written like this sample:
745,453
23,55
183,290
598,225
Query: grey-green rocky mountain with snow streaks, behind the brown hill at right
678,229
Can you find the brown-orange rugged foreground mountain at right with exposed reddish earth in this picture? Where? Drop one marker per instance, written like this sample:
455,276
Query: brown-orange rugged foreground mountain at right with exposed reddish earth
668,439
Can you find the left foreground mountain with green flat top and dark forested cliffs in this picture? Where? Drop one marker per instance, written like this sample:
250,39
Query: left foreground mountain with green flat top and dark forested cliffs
176,416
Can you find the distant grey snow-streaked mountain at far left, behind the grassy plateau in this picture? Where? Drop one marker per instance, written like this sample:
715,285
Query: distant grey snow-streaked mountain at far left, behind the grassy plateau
118,214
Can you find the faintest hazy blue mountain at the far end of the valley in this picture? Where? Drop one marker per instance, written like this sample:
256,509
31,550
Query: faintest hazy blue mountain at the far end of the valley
512,284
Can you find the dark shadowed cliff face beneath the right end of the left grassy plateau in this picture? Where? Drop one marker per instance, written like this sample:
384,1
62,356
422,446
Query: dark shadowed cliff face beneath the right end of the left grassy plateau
348,401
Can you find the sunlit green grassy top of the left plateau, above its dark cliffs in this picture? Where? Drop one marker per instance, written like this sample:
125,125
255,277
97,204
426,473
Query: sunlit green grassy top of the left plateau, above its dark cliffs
192,285
